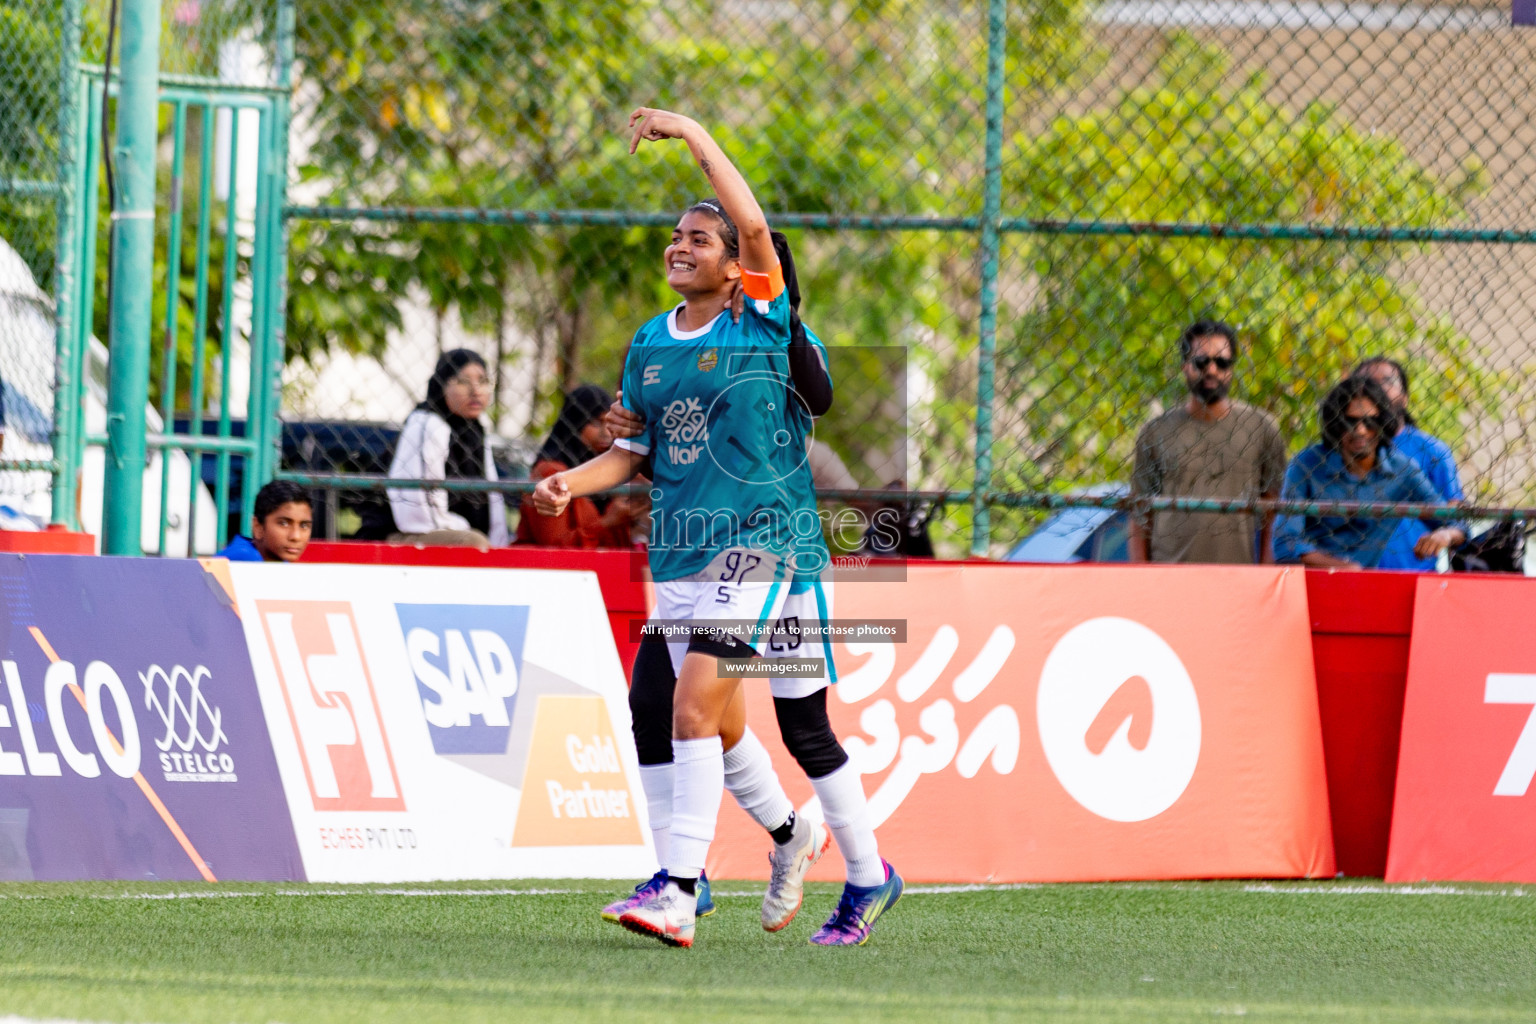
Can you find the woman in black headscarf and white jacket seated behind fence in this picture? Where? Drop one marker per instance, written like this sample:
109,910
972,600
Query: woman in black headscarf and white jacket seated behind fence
445,440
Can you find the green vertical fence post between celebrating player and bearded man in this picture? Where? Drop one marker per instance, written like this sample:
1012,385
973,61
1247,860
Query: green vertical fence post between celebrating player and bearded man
991,242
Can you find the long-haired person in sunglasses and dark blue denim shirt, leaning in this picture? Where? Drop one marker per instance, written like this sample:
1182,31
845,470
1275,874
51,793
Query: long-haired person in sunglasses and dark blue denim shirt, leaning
1356,463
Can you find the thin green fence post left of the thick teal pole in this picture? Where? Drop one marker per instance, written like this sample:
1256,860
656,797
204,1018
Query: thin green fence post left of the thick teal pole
71,213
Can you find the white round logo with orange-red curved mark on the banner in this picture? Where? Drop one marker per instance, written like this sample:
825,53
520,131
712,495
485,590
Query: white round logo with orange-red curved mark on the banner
1119,719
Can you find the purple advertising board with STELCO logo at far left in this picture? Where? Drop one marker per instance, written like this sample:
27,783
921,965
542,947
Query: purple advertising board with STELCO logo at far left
133,742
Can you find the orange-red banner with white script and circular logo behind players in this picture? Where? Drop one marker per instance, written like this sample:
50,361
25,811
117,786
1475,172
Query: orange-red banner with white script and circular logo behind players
1074,725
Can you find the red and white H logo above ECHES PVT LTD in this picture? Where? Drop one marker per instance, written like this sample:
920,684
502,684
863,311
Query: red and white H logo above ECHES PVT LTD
331,705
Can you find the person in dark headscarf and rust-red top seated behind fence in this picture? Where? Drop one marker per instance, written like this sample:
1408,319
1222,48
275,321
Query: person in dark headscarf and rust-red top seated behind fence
588,523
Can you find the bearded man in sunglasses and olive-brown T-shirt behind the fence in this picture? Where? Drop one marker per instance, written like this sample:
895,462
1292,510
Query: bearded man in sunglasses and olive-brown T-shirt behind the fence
1213,446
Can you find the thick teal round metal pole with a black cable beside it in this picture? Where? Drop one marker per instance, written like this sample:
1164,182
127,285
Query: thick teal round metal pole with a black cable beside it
133,277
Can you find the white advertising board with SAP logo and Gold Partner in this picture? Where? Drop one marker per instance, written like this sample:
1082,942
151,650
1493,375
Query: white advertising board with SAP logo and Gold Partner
446,724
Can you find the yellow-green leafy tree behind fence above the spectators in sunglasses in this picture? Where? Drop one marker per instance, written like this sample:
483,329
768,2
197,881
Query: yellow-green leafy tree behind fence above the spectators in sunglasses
1088,349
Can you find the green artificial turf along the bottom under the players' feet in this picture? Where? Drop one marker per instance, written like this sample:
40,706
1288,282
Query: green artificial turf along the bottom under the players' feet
1113,953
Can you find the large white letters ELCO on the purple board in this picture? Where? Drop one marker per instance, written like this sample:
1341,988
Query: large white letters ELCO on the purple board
121,751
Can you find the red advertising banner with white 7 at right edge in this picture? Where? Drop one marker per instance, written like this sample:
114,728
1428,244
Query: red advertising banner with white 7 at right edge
1466,807
